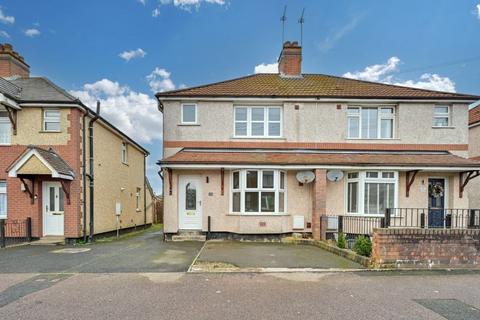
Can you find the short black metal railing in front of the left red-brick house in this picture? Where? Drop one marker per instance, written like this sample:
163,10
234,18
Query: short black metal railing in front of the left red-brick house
15,231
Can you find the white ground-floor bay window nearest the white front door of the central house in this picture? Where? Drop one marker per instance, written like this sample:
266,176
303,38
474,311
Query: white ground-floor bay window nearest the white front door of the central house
258,191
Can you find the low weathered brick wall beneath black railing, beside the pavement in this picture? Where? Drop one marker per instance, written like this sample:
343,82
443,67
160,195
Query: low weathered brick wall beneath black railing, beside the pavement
427,248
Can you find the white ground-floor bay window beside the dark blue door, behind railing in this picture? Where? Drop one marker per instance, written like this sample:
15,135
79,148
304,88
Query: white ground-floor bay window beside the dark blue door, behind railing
371,192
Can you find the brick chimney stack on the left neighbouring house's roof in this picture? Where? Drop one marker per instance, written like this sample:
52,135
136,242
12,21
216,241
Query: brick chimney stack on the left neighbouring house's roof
11,63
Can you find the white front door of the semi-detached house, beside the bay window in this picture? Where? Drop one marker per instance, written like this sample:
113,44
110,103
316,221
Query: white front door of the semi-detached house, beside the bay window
190,206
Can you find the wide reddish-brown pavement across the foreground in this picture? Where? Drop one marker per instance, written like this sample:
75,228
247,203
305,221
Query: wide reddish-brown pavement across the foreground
364,295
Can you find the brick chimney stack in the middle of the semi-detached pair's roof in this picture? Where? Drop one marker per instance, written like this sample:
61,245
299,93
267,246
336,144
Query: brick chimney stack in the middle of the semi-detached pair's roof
290,60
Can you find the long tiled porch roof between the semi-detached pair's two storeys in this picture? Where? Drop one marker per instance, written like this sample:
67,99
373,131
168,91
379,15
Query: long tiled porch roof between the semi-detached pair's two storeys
406,160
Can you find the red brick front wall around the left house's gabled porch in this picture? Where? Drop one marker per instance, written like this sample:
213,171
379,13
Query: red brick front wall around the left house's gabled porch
19,205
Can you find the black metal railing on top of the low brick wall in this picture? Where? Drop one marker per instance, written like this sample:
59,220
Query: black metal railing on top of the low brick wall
432,218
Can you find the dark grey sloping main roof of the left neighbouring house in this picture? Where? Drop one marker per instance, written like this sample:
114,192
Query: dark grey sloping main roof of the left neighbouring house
41,89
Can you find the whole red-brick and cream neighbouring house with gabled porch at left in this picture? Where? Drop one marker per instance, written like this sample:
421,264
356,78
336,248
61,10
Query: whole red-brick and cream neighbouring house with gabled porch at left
63,166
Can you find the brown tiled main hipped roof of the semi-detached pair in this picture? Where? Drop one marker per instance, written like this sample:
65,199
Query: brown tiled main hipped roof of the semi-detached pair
309,85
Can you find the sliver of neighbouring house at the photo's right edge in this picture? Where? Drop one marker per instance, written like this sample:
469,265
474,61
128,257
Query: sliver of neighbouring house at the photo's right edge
474,152
